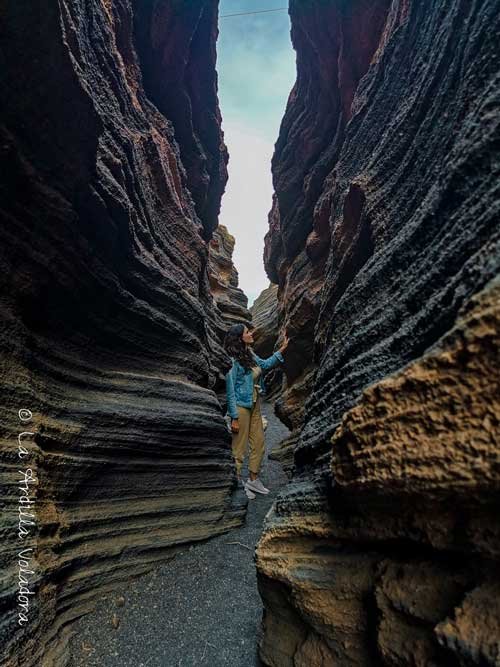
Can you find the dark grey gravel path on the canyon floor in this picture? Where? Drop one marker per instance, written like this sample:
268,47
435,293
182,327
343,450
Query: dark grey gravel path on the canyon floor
201,608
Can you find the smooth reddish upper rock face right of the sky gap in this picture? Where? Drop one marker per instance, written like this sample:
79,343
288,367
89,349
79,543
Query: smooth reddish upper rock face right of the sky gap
336,43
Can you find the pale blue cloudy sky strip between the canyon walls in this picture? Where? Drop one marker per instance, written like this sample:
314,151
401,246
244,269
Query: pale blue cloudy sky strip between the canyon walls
256,71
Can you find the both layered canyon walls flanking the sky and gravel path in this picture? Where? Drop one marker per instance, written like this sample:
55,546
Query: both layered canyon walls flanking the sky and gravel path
118,285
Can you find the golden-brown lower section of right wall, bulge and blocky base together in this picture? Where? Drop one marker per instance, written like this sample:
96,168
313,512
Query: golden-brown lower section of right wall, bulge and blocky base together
374,563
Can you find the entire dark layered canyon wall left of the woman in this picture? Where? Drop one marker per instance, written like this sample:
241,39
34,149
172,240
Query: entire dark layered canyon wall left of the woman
112,171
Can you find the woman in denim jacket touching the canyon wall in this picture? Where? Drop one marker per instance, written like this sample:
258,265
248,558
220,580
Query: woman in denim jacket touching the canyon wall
244,383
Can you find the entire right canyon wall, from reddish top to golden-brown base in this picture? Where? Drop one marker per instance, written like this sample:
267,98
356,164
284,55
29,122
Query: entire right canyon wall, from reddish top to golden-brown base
383,239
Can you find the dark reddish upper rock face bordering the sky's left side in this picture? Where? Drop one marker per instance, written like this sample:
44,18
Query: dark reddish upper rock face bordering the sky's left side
176,44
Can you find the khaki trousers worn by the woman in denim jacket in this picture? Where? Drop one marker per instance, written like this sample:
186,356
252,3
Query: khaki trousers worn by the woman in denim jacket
251,431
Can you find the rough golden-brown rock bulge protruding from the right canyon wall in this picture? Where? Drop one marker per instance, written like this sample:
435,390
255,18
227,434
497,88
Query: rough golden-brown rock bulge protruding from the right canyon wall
431,430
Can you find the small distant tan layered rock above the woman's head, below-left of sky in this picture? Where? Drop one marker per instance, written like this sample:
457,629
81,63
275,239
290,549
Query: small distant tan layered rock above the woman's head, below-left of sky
230,300
